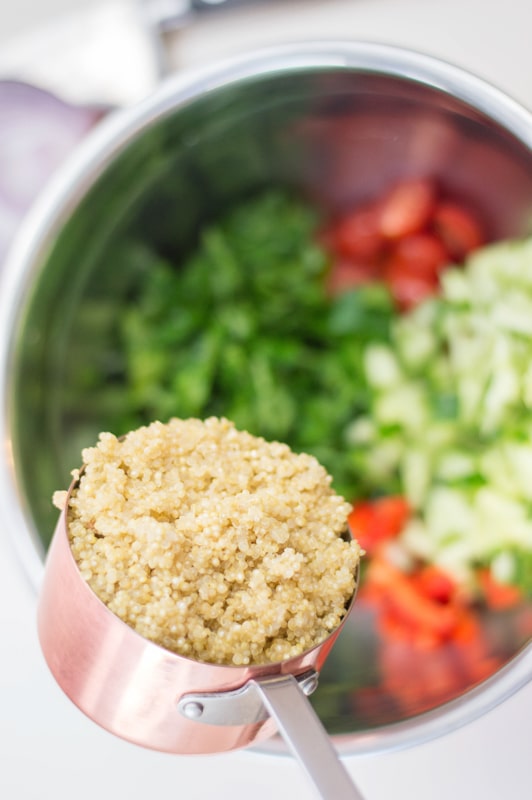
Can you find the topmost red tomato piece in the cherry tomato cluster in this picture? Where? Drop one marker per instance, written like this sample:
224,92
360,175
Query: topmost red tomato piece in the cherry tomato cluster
407,208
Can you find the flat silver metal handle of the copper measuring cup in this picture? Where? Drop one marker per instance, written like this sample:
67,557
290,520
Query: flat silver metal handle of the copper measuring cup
304,733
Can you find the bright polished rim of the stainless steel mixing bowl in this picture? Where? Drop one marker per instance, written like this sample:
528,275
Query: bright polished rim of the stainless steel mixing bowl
89,161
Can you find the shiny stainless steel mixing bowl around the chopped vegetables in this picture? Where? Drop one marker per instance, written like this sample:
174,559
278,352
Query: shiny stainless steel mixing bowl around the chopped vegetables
335,122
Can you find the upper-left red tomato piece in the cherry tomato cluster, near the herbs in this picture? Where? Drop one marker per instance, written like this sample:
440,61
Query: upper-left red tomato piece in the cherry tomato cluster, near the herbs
357,235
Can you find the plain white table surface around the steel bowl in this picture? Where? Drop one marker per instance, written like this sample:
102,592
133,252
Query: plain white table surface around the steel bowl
47,747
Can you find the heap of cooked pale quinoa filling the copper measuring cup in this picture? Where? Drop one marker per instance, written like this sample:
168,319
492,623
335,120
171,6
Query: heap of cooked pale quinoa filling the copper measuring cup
214,543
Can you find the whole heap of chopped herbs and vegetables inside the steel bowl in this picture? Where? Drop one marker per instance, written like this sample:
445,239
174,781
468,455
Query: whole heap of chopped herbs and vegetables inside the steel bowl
392,344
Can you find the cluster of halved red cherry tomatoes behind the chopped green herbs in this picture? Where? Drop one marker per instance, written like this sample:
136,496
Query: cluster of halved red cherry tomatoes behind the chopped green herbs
403,239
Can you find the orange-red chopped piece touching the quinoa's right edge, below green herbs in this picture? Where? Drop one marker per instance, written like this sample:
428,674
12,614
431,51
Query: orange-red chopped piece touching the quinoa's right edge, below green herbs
374,522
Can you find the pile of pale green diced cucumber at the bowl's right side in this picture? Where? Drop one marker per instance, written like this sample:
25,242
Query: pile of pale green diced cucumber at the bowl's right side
451,411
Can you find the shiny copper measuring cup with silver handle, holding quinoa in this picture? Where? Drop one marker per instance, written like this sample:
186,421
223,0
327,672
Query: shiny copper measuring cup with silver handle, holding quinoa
153,697
